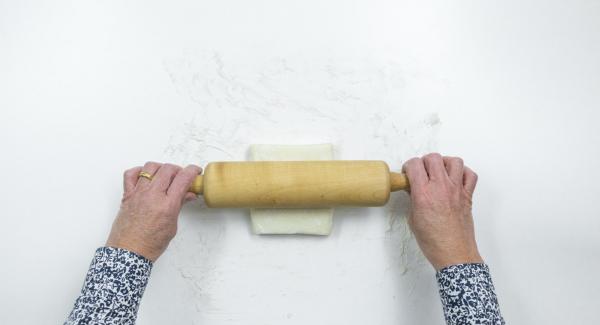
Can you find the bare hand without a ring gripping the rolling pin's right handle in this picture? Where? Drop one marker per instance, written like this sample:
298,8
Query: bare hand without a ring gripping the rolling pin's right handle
441,189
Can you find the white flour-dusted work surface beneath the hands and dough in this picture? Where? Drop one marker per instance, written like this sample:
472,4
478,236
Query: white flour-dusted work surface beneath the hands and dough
90,88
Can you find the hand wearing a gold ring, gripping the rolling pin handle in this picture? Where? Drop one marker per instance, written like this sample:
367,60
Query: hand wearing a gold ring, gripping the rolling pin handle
147,220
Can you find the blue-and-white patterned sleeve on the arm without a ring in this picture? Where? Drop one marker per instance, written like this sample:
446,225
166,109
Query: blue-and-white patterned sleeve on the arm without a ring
468,295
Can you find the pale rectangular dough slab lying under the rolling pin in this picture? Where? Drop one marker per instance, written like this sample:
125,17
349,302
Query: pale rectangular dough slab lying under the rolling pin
291,221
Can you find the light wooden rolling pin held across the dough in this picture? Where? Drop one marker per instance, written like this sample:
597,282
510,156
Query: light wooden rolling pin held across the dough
297,184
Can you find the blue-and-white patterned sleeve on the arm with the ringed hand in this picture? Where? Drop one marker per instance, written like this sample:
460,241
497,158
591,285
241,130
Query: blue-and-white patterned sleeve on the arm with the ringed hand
113,288
